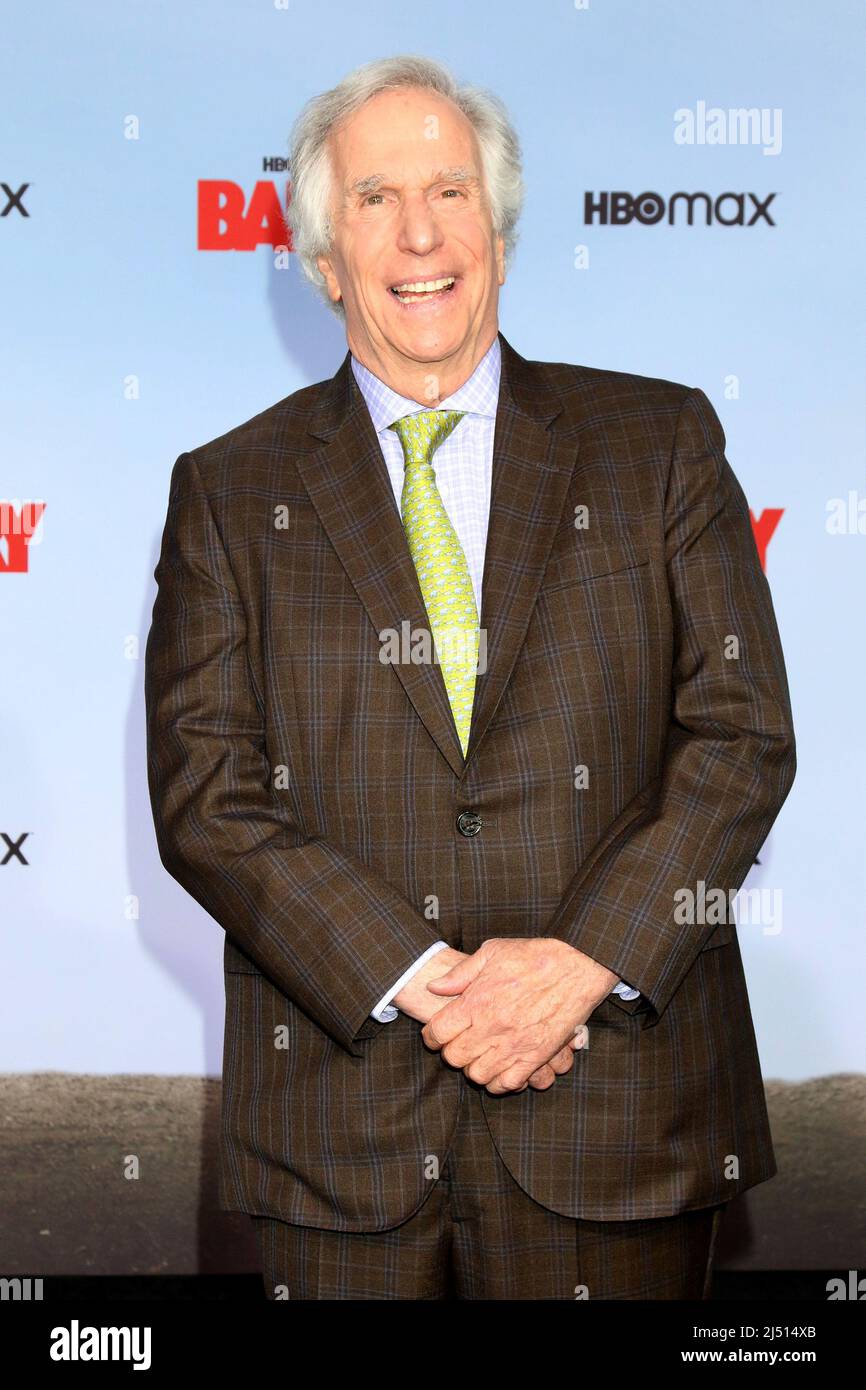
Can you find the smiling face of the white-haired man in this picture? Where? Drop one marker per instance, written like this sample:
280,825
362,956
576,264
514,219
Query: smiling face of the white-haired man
409,208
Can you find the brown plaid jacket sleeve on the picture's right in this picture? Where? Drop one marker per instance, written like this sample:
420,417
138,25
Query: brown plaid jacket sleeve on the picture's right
730,757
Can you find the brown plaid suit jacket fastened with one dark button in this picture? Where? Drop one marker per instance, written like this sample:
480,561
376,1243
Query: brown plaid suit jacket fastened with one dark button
308,794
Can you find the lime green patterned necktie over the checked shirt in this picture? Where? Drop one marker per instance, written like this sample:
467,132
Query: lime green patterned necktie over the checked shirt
440,561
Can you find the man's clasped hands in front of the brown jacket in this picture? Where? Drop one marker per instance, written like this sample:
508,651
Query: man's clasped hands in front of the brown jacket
508,1014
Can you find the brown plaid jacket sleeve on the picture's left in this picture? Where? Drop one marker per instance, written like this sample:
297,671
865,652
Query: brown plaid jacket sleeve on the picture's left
330,933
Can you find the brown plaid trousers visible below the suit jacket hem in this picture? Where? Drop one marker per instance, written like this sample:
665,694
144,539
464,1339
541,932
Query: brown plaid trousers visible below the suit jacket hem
480,1236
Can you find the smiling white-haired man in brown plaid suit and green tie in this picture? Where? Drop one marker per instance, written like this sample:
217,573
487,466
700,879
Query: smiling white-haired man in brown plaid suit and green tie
464,675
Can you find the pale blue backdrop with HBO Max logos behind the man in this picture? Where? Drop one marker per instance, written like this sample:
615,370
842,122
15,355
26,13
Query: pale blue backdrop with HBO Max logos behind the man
694,211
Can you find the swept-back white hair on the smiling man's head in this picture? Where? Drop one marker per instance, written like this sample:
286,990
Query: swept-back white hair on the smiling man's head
308,211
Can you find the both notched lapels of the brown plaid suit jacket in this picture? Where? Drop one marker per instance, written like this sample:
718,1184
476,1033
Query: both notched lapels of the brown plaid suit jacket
350,487
